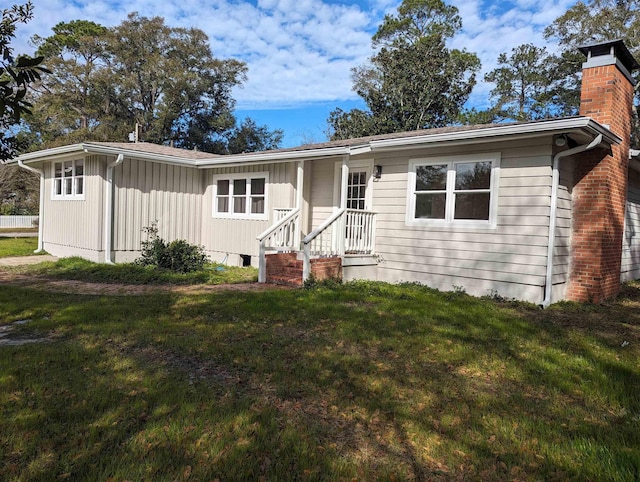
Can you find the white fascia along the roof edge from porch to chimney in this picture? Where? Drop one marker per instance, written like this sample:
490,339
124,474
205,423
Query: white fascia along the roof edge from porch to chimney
520,131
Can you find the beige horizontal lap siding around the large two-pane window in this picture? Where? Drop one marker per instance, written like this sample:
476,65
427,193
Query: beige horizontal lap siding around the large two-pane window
509,260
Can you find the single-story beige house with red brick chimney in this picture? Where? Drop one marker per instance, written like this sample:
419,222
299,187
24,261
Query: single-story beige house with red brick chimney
540,211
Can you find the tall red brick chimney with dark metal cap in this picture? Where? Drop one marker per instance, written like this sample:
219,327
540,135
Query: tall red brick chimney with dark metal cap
600,189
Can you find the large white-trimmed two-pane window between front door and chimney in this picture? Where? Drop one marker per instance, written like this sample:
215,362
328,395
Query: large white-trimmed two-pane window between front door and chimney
454,190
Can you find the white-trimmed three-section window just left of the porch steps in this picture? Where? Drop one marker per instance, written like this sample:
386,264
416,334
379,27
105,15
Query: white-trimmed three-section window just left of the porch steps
241,195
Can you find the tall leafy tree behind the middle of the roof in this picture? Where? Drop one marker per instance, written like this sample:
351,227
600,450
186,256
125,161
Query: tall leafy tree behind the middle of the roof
414,81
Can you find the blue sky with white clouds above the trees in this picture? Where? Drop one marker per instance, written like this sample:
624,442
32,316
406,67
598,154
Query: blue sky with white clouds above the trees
300,52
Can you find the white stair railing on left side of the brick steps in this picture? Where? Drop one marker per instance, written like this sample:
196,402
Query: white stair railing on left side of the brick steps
284,235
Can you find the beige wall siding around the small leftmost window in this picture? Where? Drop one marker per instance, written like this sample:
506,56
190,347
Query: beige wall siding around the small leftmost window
74,227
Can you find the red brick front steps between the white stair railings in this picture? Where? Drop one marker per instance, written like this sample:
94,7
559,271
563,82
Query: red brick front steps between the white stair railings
286,268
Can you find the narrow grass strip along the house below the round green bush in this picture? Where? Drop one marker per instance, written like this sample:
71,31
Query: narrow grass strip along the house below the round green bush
130,273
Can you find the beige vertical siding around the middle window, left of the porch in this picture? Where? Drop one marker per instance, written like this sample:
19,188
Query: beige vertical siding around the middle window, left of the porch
229,238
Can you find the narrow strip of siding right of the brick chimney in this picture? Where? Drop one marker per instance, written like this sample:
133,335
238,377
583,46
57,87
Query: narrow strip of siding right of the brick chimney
630,266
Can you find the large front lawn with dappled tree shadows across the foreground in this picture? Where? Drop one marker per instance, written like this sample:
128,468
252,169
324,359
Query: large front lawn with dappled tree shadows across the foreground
363,381
